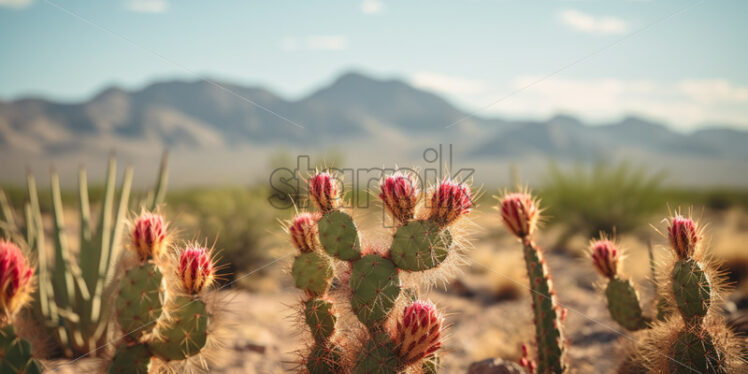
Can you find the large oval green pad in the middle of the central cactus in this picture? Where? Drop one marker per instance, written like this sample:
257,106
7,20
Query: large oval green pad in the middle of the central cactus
375,285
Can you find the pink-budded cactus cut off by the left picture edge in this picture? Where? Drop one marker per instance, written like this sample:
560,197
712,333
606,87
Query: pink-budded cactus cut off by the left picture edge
16,283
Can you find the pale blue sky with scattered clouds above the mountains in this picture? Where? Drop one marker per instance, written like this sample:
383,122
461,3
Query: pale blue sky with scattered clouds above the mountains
678,61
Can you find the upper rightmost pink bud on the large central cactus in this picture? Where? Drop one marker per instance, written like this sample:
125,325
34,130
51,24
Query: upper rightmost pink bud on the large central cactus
448,202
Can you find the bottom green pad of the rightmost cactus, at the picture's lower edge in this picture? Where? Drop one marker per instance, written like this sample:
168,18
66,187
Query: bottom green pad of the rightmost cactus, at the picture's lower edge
694,354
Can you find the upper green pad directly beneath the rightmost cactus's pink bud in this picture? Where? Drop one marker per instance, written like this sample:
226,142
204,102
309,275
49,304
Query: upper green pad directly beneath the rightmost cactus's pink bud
691,288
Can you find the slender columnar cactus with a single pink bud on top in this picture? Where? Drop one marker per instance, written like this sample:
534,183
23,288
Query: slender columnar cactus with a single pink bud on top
520,214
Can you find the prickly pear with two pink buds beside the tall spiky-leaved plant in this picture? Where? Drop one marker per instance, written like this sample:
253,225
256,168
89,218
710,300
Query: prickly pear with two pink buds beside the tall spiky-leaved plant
161,315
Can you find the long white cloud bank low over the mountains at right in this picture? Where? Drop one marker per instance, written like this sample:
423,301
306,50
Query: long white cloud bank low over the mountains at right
684,104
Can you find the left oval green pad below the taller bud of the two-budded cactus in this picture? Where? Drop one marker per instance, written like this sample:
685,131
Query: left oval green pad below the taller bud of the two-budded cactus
139,302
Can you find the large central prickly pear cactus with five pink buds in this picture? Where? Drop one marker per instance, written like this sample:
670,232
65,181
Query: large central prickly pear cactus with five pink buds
400,333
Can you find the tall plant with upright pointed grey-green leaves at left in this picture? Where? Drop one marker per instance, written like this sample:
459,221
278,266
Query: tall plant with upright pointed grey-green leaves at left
71,300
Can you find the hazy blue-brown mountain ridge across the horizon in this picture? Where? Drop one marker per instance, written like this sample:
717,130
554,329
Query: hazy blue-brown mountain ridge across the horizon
380,114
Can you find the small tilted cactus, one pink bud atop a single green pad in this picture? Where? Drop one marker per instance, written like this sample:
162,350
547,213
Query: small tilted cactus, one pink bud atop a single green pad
623,299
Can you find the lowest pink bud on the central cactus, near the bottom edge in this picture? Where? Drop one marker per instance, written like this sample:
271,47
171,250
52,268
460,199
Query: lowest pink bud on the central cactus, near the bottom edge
419,332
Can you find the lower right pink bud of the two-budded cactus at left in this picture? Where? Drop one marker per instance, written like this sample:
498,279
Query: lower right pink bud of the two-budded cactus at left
196,270
